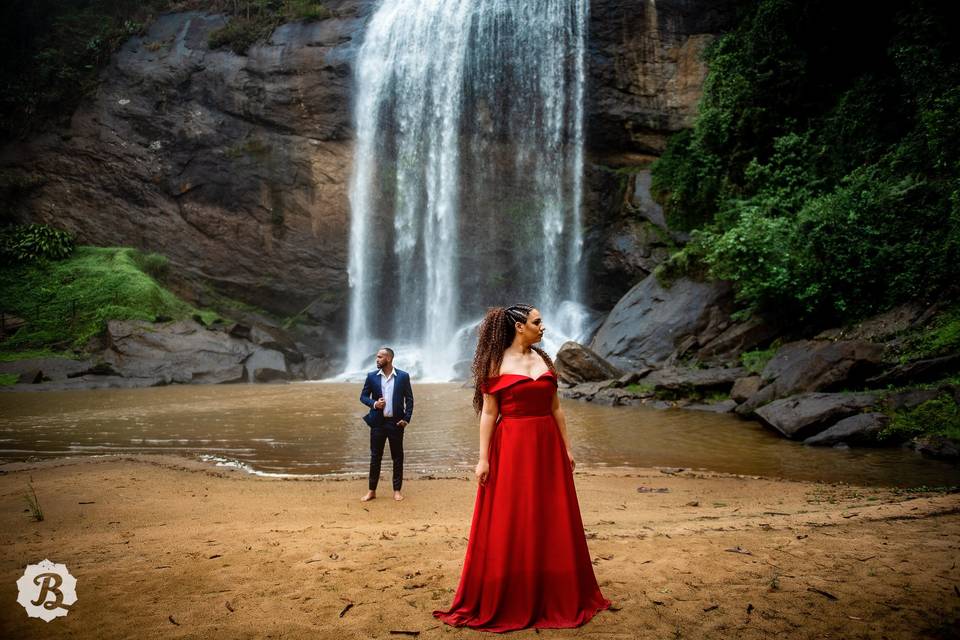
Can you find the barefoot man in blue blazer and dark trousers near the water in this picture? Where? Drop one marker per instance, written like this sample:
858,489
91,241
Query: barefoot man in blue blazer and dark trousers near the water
388,393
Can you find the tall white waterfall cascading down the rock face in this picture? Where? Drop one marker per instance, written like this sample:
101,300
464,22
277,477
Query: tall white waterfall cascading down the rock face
466,187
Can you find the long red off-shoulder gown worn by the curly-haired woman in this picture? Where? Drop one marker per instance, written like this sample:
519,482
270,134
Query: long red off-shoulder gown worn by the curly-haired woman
527,563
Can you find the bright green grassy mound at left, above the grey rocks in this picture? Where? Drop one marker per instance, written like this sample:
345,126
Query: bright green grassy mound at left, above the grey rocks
67,302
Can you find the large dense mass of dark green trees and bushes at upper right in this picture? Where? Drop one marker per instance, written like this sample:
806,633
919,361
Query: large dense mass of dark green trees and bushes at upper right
822,175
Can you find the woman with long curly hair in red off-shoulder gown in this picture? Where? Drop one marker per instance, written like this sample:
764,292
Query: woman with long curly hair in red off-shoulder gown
527,563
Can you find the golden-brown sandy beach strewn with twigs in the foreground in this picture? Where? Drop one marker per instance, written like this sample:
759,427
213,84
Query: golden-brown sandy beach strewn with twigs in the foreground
166,547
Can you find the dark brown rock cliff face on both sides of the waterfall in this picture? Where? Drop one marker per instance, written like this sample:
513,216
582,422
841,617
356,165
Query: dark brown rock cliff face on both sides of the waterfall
236,166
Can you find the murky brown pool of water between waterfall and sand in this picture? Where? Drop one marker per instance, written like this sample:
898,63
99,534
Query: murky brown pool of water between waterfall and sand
316,428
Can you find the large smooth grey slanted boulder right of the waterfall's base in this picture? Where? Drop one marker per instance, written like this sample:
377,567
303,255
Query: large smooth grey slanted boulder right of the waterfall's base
650,321
